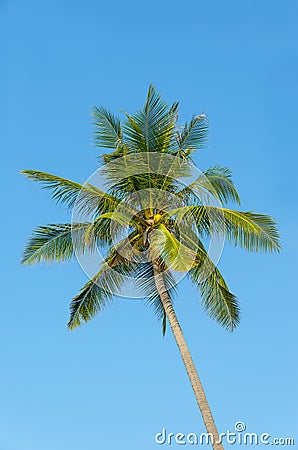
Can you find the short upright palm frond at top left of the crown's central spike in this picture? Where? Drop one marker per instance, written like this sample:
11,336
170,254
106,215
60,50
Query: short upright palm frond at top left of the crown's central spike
108,133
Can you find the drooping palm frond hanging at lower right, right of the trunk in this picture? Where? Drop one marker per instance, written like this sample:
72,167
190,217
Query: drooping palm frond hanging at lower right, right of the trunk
219,303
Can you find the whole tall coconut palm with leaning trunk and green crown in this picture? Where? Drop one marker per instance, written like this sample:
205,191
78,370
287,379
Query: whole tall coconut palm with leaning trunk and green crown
151,224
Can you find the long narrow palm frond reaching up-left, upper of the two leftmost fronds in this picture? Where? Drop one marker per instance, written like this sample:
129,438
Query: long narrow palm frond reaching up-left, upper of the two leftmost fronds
87,198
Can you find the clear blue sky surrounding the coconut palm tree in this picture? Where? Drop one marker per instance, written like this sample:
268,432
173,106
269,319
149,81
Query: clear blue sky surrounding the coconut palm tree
115,383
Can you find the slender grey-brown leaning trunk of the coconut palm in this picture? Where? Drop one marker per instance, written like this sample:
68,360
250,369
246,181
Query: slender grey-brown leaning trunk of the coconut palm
187,359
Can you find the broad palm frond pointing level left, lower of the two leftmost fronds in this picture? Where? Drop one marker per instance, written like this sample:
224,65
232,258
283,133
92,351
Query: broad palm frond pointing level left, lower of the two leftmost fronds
54,242
